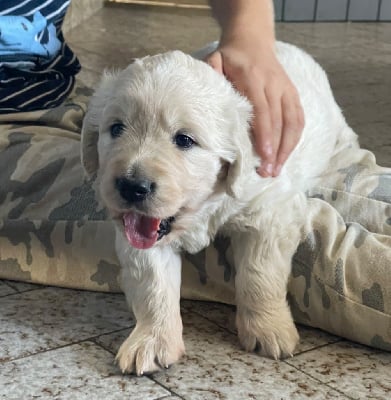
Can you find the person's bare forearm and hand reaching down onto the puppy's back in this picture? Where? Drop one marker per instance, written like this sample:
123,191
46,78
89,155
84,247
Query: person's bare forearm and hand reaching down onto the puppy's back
246,56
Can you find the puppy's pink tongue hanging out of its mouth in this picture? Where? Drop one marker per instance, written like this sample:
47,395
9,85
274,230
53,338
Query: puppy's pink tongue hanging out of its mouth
140,230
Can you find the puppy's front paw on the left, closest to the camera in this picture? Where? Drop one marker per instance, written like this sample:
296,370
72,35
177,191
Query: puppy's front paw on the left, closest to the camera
142,352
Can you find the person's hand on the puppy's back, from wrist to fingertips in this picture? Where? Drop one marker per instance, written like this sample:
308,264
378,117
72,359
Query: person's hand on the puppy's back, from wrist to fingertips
278,117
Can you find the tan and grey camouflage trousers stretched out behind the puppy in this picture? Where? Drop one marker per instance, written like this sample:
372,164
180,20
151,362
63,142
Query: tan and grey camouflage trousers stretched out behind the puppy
54,231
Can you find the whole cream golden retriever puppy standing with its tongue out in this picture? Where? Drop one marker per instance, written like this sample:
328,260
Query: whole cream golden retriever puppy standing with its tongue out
169,139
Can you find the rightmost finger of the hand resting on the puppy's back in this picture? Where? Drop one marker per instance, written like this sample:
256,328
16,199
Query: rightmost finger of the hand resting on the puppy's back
293,123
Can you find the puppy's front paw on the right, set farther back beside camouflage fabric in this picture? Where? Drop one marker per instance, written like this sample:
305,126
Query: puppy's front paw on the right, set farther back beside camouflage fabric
273,334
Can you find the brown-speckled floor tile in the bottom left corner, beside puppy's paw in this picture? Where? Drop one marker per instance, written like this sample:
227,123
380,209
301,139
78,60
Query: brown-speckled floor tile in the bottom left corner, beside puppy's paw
81,371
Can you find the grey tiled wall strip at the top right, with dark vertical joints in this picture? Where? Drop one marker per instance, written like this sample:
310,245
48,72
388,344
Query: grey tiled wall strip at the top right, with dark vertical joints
333,10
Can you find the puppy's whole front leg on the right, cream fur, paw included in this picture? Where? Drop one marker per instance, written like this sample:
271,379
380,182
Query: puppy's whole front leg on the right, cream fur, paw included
263,265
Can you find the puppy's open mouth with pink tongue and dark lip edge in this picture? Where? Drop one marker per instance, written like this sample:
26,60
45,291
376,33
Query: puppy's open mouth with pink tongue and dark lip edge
142,231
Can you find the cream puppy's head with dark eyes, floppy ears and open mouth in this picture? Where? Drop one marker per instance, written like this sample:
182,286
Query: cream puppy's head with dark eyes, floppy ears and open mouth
166,136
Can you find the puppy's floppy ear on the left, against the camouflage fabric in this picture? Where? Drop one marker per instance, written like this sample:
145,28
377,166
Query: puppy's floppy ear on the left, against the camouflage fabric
90,128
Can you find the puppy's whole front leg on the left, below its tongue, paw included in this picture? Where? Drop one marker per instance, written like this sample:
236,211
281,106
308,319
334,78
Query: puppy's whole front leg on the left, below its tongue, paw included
151,282
